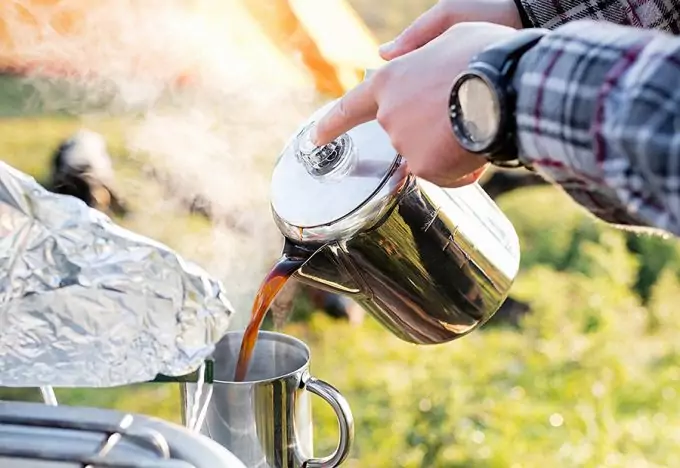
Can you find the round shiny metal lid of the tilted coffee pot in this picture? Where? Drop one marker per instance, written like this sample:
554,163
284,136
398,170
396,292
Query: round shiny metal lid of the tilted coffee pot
317,186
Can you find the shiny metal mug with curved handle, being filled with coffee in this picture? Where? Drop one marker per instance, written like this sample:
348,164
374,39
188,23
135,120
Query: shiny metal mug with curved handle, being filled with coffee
266,420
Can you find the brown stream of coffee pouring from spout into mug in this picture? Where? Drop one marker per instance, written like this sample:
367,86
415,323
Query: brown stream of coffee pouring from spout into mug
270,287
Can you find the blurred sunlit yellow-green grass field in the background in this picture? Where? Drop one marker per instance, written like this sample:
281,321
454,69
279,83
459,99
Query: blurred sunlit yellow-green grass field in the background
591,378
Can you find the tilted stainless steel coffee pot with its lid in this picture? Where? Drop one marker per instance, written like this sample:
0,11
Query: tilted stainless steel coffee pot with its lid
430,264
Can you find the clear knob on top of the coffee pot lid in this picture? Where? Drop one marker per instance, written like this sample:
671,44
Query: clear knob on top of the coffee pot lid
332,160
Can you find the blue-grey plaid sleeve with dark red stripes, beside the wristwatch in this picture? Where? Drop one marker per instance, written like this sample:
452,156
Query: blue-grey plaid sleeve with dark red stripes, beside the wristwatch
598,113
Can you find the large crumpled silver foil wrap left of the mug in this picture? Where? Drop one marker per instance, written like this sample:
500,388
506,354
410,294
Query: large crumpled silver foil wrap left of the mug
86,303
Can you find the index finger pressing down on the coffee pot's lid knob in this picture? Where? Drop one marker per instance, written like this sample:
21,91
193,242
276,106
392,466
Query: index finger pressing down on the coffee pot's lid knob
356,107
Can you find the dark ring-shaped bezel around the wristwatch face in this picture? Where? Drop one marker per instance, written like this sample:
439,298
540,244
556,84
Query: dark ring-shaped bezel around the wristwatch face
487,146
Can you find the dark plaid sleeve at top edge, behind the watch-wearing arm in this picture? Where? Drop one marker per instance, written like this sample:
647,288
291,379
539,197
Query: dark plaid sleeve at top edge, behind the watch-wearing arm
662,15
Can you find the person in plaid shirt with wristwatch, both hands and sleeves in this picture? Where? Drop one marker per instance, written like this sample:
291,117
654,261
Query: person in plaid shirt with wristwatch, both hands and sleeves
592,106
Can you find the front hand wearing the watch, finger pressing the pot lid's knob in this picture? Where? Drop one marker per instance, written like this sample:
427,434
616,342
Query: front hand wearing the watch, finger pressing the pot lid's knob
409,97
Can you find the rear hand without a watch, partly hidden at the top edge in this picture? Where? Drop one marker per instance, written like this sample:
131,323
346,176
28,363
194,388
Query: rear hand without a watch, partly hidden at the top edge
445,14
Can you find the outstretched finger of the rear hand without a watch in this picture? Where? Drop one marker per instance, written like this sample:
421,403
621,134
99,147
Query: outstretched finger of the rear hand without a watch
428,26
